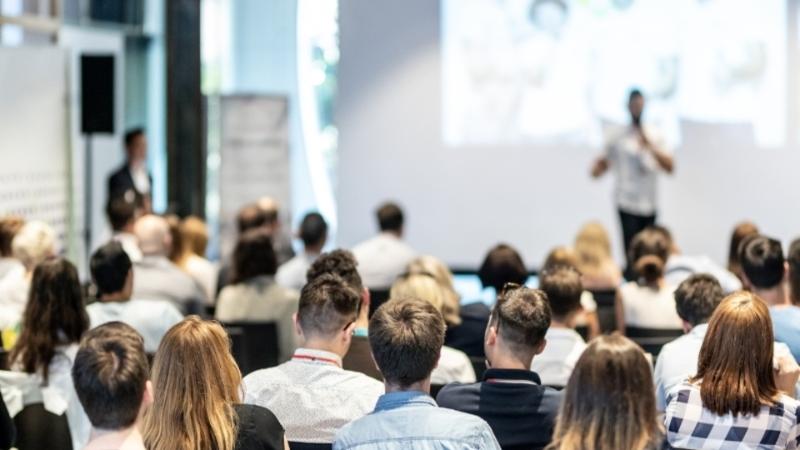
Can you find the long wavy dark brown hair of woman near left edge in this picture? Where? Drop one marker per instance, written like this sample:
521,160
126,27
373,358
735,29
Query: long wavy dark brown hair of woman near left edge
54,316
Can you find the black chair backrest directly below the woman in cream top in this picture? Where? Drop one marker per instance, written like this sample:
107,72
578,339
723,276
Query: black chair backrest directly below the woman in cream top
254,344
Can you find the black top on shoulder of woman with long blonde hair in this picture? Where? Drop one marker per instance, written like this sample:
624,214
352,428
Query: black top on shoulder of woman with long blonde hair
259,429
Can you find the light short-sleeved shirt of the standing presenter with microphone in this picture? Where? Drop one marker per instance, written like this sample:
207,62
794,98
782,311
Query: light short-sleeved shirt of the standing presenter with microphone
636,170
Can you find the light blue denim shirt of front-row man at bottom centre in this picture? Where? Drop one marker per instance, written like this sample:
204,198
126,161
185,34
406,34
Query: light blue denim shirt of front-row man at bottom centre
413,420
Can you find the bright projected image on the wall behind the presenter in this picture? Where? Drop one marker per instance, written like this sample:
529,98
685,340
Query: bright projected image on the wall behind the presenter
527,71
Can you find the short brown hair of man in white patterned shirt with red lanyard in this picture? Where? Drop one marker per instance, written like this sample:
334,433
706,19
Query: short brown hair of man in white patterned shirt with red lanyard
327,305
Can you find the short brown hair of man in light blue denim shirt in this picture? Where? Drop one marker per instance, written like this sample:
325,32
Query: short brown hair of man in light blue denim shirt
406,337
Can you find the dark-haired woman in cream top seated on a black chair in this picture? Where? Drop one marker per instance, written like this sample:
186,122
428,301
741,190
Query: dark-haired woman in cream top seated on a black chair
254,296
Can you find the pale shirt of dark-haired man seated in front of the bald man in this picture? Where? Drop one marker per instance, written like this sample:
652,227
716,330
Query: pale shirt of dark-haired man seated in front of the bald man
150,318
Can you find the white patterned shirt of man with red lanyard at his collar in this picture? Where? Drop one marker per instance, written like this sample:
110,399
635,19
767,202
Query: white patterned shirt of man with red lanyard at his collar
312,396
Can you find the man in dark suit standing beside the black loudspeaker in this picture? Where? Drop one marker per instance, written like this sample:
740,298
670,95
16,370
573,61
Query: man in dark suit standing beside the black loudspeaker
132,181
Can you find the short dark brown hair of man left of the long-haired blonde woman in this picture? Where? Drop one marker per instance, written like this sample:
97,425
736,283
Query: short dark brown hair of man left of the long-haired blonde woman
110,375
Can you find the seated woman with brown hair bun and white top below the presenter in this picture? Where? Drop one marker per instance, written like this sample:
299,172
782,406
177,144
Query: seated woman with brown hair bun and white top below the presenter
648,302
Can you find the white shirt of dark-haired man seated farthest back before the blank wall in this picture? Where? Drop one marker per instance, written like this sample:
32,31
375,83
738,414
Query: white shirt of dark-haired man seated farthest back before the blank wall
382,259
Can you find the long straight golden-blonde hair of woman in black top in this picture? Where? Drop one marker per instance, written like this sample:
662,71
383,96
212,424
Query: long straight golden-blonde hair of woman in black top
193,395
